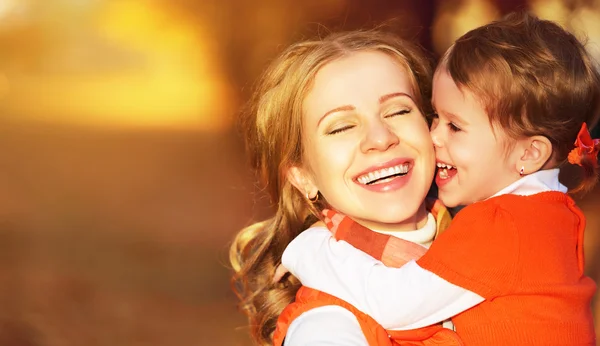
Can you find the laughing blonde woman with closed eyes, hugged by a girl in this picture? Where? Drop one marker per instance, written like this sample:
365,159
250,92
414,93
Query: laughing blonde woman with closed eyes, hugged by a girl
337,123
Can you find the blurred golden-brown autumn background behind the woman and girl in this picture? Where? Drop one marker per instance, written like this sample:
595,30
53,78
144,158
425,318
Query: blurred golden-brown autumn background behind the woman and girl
122,177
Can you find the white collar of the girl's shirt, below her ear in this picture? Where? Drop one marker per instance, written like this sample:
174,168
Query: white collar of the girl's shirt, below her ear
540,181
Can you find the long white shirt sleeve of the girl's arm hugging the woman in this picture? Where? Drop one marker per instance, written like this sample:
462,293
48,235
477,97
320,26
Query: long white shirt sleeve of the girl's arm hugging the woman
398,298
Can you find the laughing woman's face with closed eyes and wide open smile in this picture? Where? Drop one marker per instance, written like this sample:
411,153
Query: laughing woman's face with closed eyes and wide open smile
367,148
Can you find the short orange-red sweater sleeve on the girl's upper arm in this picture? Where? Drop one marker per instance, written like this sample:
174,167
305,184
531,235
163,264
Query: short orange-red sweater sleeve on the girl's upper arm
479,251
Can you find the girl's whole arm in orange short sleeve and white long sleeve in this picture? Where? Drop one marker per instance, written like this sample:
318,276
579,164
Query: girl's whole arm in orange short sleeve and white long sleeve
477,257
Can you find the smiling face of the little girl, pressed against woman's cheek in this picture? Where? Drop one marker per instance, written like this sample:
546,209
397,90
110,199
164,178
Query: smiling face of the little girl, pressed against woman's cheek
473,159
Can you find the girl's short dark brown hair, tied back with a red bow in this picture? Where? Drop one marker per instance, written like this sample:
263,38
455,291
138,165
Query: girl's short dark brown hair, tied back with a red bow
533,78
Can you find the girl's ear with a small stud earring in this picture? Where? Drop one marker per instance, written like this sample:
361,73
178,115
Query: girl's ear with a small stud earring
534,152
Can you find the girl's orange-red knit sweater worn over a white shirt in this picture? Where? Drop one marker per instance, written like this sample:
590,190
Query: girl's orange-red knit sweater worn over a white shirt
524,255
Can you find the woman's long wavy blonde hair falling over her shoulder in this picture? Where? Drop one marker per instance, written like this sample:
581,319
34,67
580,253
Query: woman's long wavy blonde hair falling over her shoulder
273,133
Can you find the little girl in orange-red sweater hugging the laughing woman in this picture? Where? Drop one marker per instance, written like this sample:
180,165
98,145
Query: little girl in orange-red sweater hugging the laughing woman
512,98
